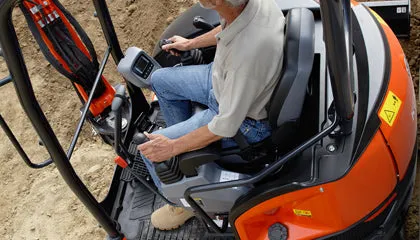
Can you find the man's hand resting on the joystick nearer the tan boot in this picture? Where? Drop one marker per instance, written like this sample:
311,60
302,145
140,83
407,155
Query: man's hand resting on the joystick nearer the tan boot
158,149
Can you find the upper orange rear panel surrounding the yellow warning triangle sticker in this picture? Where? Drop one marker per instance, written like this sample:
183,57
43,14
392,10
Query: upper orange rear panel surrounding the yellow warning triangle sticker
402,135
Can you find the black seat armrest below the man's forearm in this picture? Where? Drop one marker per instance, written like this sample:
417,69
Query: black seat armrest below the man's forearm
190,161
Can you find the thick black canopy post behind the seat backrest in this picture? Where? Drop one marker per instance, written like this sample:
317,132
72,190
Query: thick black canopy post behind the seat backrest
336,19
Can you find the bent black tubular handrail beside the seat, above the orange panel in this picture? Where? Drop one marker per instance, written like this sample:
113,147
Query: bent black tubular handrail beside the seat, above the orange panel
254,179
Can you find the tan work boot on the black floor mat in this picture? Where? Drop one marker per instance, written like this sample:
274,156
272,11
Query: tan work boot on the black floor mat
169,217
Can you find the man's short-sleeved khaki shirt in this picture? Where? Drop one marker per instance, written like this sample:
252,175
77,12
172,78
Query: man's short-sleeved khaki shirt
247,65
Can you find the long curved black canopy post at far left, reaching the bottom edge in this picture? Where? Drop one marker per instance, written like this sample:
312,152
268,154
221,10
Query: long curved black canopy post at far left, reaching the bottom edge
25,93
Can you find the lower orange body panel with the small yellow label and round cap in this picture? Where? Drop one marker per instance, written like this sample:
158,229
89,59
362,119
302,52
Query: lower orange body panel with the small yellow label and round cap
333,206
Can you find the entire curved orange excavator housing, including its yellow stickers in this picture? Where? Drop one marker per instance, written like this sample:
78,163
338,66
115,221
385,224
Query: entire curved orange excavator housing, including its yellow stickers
329,208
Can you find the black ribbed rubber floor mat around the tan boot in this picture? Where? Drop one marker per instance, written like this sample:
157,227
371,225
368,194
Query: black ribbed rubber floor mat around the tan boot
137,207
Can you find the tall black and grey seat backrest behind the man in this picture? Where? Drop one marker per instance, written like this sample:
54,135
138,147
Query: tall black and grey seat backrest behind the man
287,101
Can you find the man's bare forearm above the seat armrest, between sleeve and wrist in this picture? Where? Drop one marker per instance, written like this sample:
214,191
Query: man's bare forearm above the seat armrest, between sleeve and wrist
197,139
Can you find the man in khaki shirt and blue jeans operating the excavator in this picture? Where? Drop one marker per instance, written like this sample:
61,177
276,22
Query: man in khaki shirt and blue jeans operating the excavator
236,87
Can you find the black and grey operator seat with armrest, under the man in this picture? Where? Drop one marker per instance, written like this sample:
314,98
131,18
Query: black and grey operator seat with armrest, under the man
285,106
